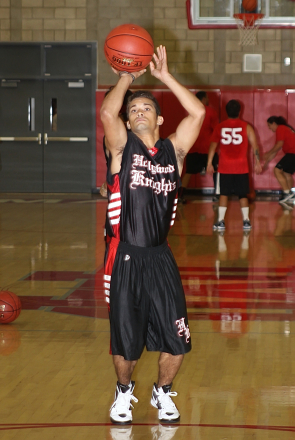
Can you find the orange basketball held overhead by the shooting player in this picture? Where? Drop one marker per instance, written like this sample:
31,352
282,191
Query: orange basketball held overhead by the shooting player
129,48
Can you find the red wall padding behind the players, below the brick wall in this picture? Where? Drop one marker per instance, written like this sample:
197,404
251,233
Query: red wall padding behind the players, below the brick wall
257,106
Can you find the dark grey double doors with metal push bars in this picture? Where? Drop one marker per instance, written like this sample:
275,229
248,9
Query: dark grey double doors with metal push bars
47,117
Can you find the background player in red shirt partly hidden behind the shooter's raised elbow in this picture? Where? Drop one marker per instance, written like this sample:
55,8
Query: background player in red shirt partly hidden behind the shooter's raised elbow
196,160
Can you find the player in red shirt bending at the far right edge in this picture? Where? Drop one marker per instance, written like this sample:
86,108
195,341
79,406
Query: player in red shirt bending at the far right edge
285,139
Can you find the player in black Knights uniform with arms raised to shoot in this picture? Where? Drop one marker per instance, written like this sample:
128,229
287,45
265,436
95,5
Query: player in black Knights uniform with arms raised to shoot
142,282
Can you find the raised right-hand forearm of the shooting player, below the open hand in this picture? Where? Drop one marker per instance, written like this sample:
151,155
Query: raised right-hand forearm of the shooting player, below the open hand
187,99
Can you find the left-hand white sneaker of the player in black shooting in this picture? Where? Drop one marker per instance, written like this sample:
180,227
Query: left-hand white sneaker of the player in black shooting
121,409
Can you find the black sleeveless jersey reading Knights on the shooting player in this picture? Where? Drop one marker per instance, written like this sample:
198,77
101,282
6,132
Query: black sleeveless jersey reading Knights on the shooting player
143,195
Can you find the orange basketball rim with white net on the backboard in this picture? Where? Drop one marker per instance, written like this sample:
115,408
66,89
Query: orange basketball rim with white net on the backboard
248,25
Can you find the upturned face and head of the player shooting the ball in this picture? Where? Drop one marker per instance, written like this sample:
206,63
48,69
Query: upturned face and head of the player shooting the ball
142,115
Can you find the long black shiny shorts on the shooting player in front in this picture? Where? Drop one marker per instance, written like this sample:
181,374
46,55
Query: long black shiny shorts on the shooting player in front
147,303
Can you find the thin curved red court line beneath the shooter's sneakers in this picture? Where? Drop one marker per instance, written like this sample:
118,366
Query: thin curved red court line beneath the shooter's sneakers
7,426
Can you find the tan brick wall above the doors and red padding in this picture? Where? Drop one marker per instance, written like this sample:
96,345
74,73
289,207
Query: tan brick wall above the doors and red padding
196,57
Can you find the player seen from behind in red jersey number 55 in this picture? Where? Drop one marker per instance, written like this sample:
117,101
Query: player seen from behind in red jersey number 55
232,136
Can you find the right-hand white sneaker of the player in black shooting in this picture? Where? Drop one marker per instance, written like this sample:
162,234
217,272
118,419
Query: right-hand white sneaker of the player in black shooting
161,399
